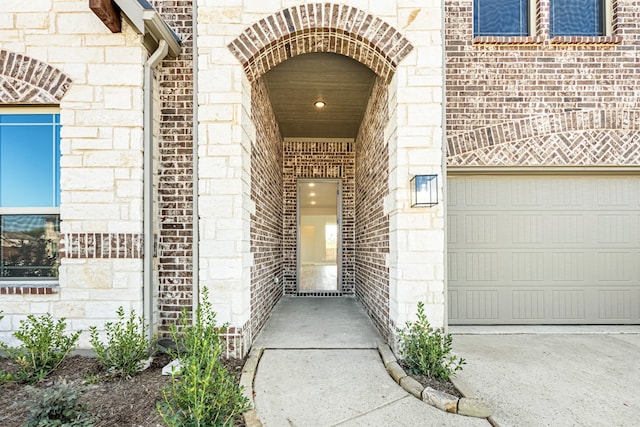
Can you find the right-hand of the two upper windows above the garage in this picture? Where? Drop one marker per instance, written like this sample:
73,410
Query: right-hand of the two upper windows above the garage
578,18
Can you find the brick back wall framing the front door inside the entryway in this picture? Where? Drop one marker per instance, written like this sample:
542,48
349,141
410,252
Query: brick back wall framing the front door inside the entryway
333,159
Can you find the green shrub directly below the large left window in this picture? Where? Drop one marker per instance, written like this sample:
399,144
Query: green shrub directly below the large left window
44,346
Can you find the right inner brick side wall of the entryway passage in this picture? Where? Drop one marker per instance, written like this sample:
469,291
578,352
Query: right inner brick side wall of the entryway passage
372,223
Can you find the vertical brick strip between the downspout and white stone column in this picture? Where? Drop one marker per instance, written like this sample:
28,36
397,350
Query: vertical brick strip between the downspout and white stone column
174,205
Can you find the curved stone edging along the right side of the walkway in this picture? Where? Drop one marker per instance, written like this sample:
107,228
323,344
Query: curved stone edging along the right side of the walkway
469,405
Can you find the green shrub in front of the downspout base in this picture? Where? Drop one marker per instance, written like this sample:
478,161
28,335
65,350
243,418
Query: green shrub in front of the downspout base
126,346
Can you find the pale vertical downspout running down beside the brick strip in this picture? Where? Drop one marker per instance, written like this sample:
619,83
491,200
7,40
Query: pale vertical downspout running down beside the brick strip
147,197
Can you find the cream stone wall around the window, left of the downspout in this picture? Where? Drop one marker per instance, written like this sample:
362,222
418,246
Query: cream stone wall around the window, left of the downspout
61,53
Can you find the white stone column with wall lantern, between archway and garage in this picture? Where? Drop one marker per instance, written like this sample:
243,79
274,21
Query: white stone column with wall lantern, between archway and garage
414,133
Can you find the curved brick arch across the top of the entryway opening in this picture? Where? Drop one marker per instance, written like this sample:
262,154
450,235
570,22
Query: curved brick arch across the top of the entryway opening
320,27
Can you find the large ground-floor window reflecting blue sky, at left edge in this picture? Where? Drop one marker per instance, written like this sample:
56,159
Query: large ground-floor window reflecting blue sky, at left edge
29,195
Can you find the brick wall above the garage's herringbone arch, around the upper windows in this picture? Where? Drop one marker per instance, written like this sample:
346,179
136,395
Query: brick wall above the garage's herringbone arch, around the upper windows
495,81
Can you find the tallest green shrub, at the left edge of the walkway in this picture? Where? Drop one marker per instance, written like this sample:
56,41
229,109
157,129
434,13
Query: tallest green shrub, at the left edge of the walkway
203,392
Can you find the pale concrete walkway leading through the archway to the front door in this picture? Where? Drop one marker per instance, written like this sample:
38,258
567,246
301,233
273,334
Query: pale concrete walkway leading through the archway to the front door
320,367
